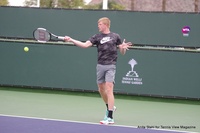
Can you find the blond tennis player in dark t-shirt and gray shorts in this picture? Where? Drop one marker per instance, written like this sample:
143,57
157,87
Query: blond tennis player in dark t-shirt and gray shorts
107,43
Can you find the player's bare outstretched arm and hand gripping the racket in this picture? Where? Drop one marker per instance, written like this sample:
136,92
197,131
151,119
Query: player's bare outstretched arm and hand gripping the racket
78,43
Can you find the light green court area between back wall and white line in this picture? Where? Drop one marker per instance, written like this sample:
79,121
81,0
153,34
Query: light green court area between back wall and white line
168,114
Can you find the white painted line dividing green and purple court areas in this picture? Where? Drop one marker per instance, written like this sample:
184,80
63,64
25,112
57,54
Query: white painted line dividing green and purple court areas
81,122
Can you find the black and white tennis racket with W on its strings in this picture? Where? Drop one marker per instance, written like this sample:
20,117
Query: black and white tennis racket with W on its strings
43,35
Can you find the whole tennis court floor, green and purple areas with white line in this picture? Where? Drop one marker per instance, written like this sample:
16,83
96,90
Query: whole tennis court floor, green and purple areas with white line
49,111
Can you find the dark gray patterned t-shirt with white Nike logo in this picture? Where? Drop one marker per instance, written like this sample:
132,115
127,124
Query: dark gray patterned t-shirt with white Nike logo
106,47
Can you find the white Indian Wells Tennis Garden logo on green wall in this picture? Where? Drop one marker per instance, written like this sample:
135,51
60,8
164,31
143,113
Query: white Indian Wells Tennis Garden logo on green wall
132,76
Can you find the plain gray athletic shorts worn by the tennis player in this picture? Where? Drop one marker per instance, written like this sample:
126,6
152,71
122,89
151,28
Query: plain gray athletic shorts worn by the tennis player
105,73
